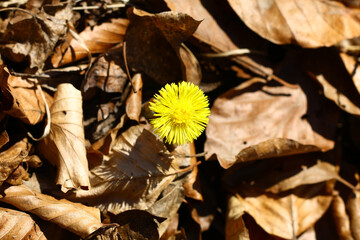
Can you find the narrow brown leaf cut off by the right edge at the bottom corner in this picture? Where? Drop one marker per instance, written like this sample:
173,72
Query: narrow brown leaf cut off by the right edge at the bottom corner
353,208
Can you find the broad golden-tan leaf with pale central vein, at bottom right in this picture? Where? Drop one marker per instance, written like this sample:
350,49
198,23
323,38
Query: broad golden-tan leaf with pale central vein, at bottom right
287,215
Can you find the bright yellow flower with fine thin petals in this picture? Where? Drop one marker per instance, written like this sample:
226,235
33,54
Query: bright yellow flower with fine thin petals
181,112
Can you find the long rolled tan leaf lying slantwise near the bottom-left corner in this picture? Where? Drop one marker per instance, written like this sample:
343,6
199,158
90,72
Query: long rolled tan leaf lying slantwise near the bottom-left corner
75,217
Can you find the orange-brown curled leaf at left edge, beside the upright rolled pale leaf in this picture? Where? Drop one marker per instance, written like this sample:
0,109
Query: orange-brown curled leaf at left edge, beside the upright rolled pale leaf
22,98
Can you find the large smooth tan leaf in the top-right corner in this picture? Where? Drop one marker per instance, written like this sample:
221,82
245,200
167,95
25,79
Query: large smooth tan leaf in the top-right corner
307,23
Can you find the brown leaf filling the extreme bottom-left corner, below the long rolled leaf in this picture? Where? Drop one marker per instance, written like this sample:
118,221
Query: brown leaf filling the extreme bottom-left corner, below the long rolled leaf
17,225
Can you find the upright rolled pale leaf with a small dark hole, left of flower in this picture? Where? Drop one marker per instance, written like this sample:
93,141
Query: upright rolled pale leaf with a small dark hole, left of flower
64,147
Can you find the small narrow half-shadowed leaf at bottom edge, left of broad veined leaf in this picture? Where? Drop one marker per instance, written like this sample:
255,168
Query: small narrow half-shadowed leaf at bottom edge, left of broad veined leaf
235,228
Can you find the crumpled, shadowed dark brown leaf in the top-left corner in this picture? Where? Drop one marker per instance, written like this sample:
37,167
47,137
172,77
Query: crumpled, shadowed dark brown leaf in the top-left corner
33,35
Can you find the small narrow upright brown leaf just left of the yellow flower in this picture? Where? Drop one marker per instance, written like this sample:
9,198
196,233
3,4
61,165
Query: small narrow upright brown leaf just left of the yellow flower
134,100
